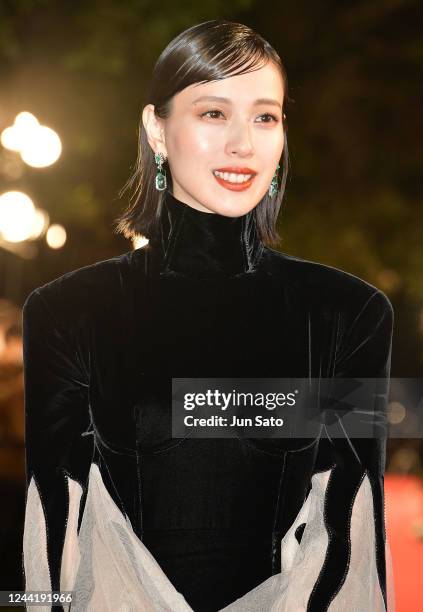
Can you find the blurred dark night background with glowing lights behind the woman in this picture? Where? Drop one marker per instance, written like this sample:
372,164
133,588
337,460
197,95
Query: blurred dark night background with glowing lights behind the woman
353,198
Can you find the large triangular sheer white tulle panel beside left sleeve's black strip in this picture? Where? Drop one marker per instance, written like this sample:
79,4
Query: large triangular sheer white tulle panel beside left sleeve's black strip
116,571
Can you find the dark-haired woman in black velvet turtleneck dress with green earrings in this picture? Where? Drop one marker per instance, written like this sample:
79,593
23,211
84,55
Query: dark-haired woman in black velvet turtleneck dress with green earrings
119,511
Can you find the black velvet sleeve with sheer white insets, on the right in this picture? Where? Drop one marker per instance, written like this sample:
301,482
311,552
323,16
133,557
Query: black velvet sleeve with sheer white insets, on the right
350,497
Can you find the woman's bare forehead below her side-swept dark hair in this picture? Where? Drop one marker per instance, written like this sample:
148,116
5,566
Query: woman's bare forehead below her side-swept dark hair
264,83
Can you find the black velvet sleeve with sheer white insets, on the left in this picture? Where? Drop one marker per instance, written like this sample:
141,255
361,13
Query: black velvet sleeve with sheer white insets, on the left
58,454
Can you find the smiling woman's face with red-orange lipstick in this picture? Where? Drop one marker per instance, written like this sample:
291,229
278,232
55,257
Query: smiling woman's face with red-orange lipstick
233,125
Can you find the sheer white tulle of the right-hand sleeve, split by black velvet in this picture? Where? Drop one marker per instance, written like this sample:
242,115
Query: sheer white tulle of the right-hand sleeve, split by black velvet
301,562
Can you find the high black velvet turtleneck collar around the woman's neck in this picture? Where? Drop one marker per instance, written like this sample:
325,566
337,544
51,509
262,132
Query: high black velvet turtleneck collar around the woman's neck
199,244
